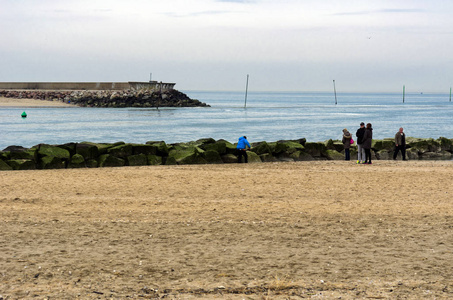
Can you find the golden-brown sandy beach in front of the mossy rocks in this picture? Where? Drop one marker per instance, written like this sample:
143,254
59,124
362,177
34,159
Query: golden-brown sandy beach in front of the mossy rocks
251,231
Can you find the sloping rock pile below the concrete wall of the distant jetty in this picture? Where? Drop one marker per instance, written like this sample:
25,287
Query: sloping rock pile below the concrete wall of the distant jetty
109,98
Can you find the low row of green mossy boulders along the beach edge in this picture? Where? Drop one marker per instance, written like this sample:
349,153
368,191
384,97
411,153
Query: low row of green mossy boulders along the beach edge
204,151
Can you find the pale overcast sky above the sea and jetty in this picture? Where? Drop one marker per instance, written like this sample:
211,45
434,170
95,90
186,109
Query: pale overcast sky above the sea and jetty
287,45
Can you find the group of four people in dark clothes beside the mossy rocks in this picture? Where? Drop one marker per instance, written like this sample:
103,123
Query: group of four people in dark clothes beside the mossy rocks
364,138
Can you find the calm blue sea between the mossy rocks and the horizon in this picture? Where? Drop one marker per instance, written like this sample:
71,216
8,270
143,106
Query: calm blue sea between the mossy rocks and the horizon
269,116
